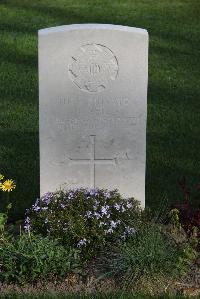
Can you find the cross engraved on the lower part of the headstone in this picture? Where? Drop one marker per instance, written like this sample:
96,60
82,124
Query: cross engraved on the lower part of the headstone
93,161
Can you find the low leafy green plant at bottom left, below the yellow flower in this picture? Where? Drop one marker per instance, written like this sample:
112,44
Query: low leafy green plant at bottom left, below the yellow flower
32,257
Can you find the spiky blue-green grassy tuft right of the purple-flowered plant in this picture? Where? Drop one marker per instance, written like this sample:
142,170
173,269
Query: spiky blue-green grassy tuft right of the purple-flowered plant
148,254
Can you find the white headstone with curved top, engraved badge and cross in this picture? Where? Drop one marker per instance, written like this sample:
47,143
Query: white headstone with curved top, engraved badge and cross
93,107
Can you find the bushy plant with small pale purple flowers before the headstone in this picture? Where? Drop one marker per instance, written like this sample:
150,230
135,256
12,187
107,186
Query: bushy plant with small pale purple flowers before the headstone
84,218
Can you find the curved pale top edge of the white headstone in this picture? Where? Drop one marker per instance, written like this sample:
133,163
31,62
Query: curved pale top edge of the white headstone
92,26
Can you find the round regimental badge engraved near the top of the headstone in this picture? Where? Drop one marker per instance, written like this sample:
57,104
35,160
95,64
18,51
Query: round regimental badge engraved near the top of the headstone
93,67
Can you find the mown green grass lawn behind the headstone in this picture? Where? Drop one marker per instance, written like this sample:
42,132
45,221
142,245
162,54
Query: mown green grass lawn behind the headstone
173,129
